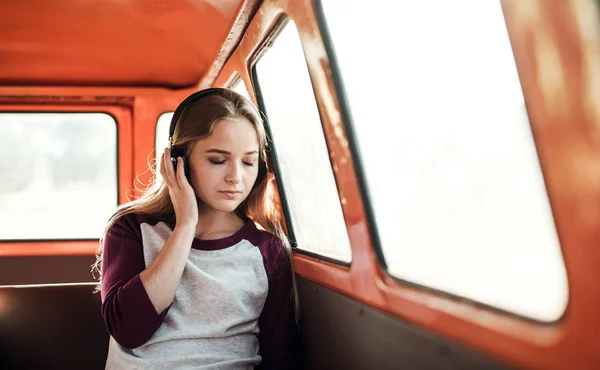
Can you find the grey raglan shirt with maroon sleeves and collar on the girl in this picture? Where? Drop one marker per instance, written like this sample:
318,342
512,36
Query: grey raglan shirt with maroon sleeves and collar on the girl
232,308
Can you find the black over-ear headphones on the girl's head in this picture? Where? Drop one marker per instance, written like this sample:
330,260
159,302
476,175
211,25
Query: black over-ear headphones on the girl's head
177,151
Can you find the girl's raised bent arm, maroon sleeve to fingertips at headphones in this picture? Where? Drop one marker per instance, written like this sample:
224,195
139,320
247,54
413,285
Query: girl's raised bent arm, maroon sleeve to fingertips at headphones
136,298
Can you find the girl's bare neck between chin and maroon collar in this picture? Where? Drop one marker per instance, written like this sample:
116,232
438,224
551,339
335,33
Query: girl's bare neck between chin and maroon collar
214,224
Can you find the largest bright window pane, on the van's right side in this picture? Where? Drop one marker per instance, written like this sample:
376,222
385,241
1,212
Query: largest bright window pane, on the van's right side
451,166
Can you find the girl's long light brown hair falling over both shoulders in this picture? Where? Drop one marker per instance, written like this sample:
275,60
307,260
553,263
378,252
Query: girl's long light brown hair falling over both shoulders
196,122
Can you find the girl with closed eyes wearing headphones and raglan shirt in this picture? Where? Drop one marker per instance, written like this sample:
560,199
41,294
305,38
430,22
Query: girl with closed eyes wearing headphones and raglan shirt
187,279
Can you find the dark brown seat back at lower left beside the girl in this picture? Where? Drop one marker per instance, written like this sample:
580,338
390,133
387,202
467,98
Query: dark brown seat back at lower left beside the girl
52,327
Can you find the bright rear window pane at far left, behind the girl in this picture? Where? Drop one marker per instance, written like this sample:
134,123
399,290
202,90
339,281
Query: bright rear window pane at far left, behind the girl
58,175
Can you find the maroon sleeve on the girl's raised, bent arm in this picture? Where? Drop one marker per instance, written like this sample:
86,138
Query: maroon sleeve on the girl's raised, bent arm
128,313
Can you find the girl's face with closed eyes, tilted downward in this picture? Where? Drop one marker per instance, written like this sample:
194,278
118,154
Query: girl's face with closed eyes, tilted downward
224,166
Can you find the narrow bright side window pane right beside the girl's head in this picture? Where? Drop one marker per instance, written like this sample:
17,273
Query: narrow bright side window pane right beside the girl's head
315,210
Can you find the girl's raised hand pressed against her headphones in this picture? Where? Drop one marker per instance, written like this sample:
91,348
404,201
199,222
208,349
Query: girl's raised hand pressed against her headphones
181,192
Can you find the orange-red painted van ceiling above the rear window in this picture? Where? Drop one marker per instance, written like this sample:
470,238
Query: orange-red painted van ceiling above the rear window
168,43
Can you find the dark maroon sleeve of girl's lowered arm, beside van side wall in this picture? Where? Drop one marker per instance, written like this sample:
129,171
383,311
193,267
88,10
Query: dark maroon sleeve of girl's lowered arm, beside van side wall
280,343
